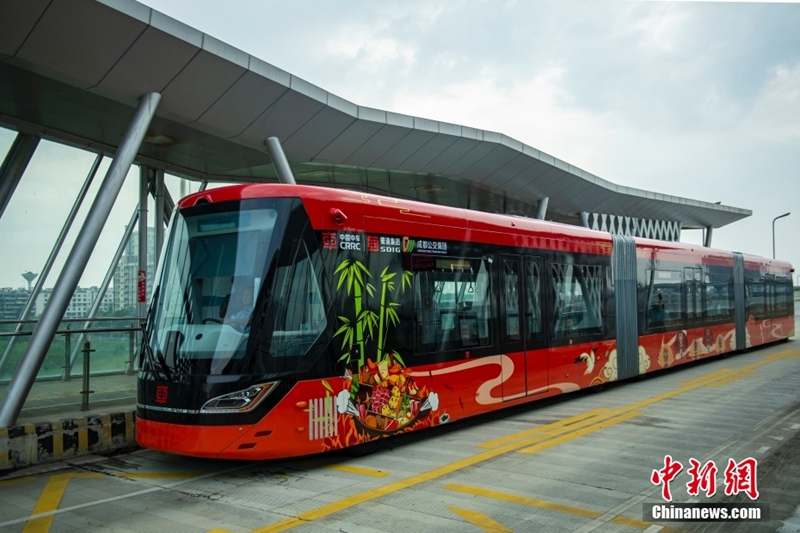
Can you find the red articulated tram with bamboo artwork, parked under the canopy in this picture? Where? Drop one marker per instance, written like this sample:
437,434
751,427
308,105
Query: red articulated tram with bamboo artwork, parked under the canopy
290,320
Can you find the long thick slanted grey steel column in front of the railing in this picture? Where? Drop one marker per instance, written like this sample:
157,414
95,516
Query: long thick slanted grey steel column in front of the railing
96,218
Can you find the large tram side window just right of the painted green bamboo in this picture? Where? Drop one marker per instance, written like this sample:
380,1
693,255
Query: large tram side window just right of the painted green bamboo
452,303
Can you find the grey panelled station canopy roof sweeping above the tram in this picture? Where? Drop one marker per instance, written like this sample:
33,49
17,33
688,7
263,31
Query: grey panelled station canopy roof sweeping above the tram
73,70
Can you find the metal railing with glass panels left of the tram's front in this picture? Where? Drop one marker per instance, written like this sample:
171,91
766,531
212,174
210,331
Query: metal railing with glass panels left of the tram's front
133,330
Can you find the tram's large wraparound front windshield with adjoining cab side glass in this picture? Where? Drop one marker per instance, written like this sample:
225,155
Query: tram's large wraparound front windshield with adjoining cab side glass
238,291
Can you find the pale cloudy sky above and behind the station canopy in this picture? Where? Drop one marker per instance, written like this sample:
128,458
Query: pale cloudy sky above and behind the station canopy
692,99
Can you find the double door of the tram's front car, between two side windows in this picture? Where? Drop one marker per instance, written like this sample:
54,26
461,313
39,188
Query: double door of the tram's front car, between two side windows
521,331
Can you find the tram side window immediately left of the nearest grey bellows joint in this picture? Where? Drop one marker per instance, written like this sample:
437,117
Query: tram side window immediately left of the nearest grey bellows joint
578,293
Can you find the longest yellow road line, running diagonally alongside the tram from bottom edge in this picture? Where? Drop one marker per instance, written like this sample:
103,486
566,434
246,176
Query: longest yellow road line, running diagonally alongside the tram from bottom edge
438,472
